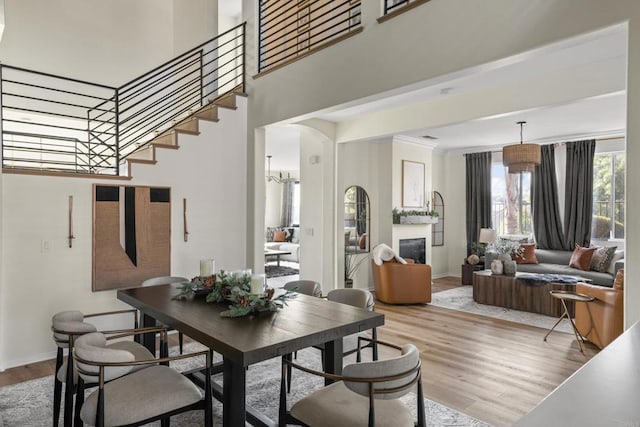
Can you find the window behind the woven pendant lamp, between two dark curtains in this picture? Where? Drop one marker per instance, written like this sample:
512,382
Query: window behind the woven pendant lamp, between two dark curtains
510,201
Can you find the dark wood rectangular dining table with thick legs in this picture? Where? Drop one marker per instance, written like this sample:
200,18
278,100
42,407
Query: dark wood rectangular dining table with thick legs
242,341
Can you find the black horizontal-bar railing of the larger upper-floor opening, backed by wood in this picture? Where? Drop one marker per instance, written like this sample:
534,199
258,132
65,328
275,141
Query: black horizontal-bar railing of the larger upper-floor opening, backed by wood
291,29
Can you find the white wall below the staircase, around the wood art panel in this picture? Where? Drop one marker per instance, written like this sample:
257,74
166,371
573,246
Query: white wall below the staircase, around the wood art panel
208,170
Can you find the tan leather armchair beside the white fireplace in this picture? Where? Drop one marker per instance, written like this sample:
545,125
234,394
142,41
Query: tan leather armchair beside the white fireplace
397,283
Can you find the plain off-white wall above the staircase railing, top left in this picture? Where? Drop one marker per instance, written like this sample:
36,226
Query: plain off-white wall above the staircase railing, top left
107,42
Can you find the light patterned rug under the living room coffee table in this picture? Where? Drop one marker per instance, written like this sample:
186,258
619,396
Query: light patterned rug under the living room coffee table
461,299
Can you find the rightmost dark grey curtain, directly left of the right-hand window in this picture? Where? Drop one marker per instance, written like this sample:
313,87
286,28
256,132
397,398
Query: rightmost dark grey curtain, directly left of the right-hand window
578,206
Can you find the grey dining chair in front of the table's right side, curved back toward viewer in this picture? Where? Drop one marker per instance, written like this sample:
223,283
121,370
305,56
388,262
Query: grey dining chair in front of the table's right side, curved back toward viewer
367,393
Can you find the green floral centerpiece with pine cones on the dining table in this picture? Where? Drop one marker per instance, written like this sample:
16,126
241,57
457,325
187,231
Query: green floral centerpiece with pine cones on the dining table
236,289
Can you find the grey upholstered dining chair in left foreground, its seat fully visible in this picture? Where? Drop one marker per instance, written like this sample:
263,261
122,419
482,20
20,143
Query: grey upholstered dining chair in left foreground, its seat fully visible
129,397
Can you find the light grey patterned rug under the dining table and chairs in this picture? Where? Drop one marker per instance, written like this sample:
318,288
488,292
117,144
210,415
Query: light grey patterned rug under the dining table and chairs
30,403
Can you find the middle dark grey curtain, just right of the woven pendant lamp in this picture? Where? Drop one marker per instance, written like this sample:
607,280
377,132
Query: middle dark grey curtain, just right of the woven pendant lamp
547,226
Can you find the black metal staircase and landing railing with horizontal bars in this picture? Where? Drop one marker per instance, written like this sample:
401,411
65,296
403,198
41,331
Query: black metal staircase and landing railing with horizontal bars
56,123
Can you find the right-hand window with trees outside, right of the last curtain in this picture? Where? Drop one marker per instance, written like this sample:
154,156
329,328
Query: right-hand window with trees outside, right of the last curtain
608,196
